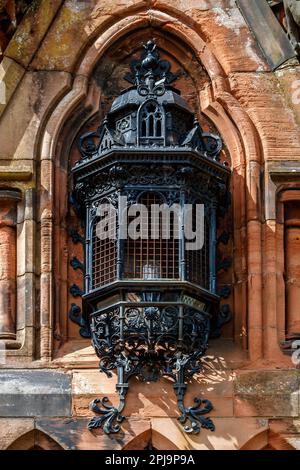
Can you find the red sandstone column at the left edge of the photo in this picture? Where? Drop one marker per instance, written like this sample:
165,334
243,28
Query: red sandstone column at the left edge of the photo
8,221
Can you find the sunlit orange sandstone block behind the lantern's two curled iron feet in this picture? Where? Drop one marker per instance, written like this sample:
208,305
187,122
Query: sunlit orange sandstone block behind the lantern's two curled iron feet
155,399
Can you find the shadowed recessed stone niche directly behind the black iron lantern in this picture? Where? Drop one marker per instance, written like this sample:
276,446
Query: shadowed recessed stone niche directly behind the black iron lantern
107,81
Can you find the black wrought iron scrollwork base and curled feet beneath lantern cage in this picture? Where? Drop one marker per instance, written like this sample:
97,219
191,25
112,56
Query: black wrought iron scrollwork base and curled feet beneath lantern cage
149,342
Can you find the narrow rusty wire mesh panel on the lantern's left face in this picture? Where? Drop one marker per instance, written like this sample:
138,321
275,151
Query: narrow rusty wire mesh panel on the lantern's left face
104,259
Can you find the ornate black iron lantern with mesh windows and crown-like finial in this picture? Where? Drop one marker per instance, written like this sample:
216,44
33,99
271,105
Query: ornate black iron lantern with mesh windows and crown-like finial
150,302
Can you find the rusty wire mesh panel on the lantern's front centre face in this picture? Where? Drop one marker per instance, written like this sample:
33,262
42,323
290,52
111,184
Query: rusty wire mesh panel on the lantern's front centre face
154,257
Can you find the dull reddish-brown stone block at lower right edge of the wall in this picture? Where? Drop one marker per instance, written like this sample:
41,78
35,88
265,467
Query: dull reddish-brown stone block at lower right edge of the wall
267,393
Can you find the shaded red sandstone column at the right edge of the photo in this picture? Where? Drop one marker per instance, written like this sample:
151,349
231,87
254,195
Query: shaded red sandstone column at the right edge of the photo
292,266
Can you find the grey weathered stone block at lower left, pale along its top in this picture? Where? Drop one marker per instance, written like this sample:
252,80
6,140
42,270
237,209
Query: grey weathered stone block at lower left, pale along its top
34,393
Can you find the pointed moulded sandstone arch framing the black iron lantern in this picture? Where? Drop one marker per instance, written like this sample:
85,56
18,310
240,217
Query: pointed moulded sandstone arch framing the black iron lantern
225,111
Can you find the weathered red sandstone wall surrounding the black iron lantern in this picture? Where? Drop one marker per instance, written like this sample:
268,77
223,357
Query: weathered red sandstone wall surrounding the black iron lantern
59,75
